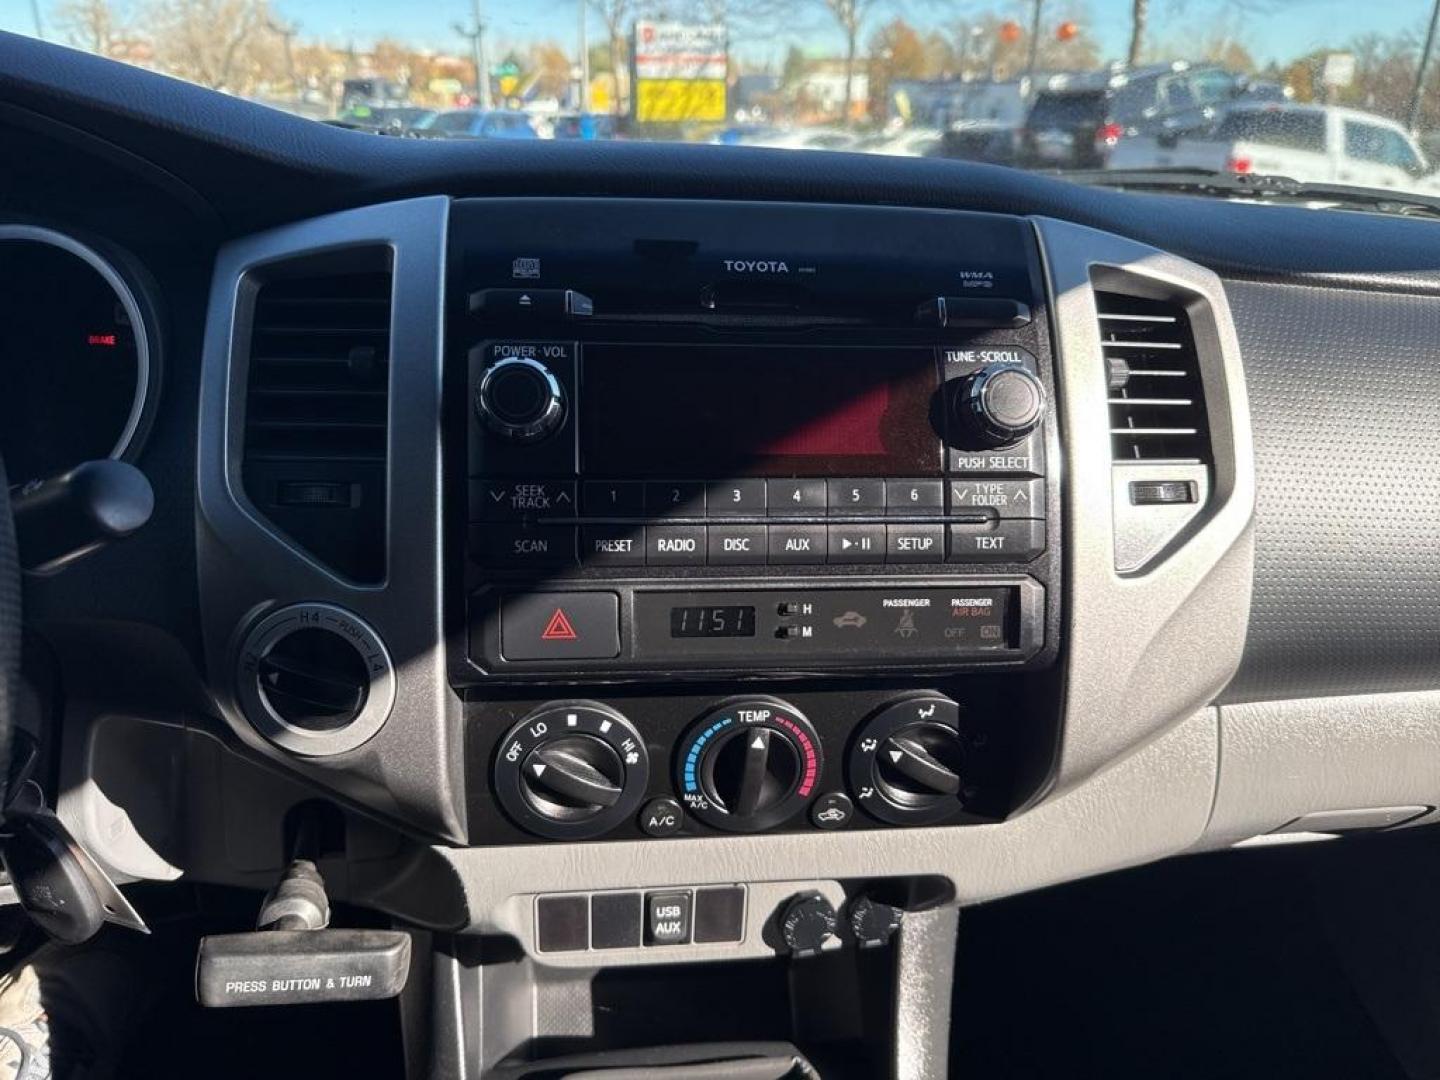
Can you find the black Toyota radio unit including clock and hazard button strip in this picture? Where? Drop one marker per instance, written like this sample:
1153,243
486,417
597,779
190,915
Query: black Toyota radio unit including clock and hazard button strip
682,462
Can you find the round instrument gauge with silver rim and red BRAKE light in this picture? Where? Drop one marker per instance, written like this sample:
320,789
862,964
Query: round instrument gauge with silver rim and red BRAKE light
77,359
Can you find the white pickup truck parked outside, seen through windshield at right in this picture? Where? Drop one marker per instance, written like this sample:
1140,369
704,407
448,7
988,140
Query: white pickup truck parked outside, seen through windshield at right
1310,143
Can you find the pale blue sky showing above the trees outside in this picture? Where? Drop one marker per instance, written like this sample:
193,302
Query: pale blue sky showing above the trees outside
1271,30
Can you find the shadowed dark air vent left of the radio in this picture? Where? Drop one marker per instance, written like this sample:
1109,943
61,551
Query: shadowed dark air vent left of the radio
318,407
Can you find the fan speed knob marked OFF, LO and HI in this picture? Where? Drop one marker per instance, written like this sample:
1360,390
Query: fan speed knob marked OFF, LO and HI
572,770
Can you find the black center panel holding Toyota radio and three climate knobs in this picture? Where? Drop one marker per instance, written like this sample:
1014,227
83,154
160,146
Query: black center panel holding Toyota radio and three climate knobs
719,463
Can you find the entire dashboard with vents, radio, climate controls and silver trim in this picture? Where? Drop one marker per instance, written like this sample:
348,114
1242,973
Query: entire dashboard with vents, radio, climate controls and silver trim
584,523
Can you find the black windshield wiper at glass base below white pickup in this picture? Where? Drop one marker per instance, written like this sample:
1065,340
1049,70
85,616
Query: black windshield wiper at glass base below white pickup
1262,186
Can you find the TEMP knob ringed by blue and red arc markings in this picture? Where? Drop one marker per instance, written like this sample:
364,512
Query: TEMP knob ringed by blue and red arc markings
750,765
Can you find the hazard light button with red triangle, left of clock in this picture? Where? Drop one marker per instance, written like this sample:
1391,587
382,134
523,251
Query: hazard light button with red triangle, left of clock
561,626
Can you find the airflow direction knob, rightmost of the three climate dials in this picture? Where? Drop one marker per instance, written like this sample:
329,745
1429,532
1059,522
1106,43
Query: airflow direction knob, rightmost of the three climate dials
908,764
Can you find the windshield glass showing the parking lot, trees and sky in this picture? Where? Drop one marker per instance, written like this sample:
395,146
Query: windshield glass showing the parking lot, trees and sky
1323,91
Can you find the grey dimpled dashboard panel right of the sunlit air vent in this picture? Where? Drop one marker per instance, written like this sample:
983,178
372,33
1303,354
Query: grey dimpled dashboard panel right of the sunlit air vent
1346,401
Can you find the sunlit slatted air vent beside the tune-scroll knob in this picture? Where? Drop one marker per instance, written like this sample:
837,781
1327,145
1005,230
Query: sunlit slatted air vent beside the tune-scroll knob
1157,397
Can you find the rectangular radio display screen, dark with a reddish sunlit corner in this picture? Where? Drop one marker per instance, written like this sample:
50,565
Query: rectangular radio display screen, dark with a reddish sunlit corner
745,411
